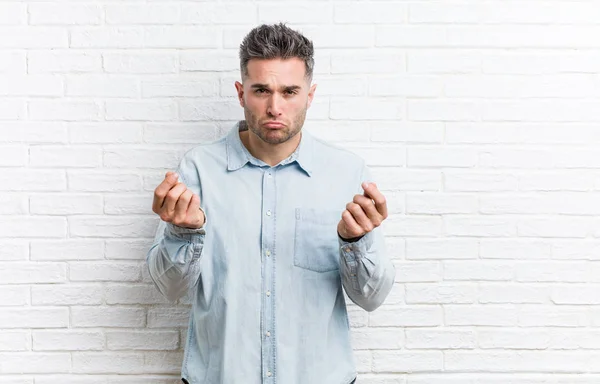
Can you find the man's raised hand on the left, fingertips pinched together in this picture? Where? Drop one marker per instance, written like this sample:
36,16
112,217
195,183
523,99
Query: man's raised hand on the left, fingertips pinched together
176,204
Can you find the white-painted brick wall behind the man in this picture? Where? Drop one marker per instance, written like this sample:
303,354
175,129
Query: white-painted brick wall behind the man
480,121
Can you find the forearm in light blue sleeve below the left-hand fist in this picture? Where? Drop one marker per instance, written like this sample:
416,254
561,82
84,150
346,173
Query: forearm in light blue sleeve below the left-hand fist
174,259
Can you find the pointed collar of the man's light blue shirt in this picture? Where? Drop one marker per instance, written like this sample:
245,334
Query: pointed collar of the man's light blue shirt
238,155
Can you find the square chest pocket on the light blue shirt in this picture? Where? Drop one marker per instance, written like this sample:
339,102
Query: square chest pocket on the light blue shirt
315,242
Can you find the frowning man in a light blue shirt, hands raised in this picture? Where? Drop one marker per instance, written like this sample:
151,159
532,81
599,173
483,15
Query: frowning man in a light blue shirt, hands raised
249,230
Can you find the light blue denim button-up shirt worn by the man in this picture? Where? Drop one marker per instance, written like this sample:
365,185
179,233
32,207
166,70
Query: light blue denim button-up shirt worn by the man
266,271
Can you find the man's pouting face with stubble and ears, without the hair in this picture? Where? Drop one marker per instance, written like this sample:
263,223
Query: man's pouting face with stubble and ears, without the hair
275,96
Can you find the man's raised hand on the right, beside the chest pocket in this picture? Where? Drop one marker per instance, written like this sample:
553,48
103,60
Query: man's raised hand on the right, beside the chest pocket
363,214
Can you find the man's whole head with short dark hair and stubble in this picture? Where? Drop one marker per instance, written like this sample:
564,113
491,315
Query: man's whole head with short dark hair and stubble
276,64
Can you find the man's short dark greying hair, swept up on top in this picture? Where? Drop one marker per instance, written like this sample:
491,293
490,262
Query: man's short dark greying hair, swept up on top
276,41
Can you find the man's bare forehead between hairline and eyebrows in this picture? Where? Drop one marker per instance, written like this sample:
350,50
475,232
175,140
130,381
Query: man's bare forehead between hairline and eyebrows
288,70
